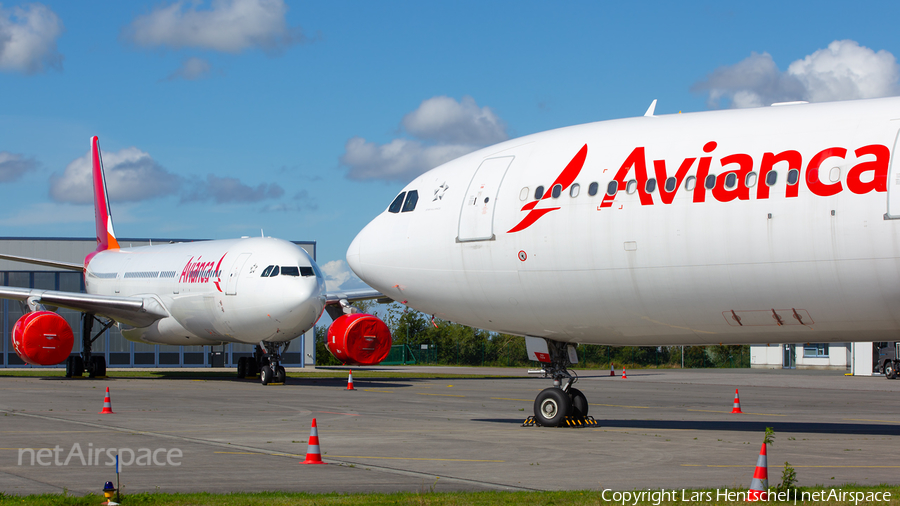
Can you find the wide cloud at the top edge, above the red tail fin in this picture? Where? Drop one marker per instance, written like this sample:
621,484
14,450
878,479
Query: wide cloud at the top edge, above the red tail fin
229,26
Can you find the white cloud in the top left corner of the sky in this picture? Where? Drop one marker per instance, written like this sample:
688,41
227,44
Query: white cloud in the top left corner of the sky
28,39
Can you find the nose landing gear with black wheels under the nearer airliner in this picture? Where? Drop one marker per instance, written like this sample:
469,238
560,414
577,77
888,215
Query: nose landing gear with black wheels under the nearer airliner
561,404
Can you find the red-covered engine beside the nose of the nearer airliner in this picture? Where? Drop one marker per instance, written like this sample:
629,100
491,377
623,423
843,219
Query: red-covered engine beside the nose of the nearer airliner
359,338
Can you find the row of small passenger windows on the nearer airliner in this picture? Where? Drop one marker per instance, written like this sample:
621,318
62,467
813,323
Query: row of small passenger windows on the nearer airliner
690,183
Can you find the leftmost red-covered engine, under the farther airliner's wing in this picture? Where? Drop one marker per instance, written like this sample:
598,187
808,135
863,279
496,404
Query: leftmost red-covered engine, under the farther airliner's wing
43,338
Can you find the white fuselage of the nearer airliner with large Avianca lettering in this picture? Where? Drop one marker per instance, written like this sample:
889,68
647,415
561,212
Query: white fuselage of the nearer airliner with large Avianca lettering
742,262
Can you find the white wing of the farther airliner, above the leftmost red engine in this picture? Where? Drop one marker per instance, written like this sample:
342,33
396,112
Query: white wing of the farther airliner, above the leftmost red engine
135,311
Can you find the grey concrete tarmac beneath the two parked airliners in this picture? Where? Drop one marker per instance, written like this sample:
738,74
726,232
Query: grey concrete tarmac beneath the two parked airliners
657,429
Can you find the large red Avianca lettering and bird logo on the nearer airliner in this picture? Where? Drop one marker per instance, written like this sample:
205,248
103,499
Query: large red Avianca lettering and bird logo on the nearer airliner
869,173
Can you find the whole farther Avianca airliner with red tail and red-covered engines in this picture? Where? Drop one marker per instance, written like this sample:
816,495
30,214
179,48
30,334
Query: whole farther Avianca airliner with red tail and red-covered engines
260,291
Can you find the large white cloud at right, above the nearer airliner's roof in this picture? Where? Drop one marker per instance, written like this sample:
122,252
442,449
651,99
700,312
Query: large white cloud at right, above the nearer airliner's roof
842,71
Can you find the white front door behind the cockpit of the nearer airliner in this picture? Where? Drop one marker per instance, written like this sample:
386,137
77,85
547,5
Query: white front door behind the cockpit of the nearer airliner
476,219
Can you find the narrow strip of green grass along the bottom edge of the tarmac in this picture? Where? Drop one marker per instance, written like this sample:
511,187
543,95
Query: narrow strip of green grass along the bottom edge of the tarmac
426,496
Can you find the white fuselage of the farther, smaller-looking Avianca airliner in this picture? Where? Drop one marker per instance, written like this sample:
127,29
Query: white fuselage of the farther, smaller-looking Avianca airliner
214,291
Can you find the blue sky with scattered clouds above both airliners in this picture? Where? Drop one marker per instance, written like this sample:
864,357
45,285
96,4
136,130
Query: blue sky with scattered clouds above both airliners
218,119
